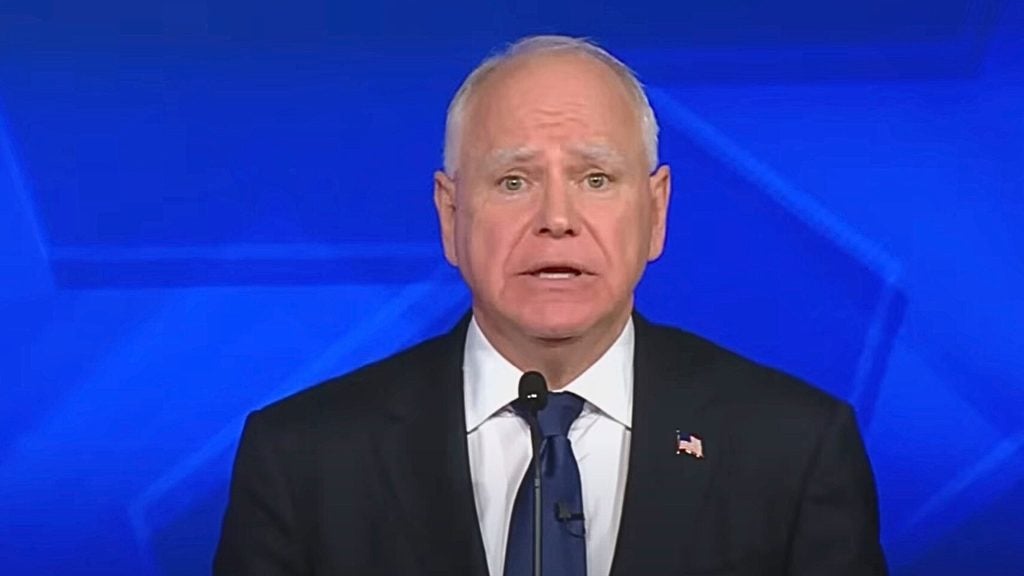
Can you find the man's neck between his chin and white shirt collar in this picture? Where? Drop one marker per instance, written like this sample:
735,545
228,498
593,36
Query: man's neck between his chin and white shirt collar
561,360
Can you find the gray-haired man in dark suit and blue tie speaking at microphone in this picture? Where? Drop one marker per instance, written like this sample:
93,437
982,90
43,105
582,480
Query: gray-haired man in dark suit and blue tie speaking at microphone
673,457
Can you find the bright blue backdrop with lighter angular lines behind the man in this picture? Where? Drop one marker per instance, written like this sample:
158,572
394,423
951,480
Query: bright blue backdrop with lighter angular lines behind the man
205,207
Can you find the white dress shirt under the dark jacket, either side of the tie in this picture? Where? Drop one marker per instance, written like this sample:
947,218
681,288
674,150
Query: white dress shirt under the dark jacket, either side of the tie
500,447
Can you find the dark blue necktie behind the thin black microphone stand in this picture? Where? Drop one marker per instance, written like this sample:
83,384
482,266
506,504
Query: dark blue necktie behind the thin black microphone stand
564,548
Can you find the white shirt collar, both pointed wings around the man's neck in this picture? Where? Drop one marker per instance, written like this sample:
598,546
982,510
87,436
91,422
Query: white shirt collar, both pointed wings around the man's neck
492,382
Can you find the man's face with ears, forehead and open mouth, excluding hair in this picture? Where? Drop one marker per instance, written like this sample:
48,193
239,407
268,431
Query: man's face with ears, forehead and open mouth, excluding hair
552,215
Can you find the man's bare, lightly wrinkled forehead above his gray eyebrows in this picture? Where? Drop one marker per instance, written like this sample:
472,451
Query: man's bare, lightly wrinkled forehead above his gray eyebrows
568,100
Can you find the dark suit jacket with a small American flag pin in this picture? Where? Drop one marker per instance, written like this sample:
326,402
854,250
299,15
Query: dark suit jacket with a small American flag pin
369,474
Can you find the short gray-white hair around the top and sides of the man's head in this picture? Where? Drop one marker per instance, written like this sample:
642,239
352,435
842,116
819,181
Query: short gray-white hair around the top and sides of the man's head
535,46
